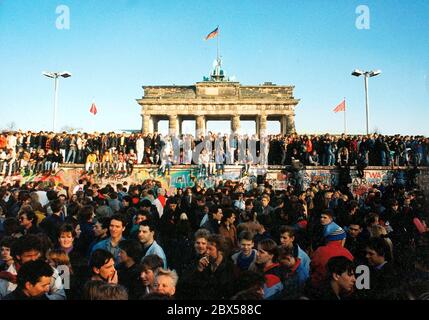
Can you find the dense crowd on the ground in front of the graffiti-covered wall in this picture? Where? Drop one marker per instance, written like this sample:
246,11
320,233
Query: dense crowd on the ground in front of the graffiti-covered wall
136,242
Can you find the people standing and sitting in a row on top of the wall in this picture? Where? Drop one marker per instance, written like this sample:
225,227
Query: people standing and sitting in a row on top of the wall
111,153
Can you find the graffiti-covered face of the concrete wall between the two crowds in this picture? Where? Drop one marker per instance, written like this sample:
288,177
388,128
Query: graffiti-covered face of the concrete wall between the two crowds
189,177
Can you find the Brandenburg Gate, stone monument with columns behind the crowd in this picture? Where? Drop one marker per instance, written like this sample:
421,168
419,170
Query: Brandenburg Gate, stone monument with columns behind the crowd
217,99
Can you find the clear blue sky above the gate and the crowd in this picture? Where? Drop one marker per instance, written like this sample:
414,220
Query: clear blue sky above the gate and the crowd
115,47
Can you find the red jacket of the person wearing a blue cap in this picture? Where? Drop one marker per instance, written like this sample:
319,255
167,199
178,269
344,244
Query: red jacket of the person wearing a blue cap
321,257
